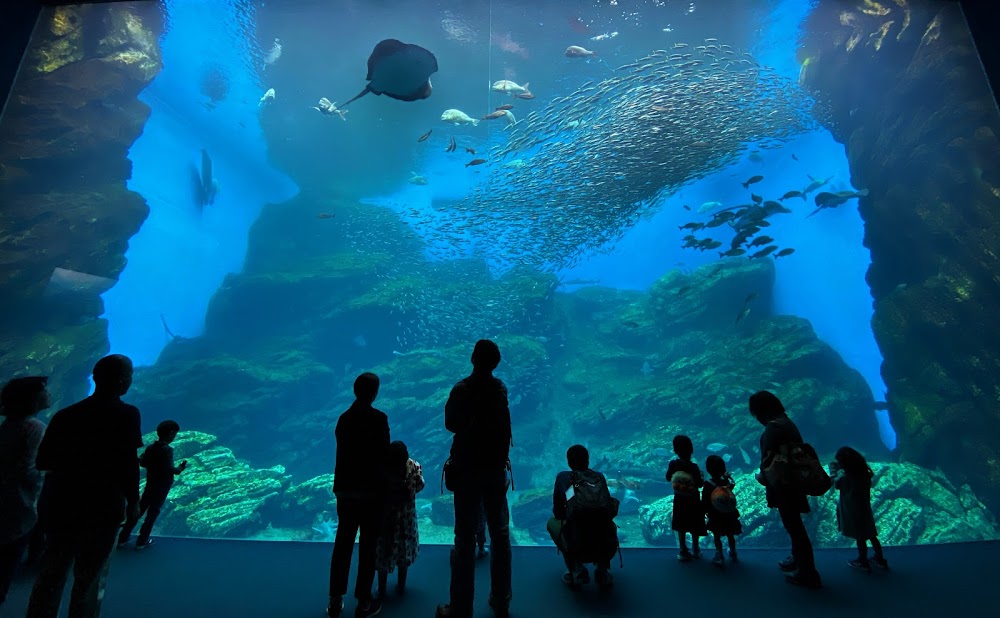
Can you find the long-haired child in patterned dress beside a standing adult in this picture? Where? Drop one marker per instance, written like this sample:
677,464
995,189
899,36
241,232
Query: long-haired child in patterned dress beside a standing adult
399,543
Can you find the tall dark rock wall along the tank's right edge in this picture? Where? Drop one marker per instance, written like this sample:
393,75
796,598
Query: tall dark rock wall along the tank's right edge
924,144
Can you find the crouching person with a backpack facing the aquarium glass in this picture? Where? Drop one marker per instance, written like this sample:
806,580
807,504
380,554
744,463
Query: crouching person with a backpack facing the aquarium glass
582,524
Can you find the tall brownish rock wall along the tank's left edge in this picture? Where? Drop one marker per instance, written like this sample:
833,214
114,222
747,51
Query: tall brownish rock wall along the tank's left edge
68,125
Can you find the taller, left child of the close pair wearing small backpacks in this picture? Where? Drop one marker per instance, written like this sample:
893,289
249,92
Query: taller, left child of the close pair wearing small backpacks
688,515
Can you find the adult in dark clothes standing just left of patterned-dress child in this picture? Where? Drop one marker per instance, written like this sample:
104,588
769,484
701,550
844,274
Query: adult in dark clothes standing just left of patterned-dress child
359,483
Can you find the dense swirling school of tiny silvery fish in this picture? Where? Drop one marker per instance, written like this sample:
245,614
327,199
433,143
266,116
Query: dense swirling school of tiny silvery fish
571,178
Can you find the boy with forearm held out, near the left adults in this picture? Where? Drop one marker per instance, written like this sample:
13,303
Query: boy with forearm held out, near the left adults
158,460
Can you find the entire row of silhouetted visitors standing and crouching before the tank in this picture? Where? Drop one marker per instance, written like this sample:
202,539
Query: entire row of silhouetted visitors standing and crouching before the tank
88,501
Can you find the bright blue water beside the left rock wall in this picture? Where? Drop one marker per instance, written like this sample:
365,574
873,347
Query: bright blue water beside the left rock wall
181,255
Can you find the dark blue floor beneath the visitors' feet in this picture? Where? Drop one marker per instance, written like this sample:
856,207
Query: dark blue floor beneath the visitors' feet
219,579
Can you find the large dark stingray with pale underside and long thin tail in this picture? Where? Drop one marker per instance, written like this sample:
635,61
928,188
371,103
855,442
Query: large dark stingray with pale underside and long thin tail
400,71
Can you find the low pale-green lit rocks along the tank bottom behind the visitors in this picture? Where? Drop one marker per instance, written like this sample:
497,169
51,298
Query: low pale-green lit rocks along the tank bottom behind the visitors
220,495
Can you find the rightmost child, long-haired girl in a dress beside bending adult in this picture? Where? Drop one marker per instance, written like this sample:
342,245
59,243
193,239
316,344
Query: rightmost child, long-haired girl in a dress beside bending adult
855,519
